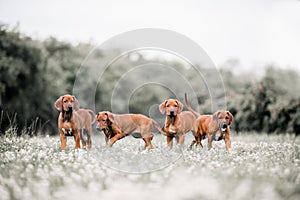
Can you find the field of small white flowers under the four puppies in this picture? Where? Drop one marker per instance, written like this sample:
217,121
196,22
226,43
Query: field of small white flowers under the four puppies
259,167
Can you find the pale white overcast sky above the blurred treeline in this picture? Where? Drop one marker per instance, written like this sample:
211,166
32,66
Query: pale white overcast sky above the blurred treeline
257,32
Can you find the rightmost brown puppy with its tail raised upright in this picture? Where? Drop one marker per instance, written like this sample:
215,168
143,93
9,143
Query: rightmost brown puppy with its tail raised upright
215,126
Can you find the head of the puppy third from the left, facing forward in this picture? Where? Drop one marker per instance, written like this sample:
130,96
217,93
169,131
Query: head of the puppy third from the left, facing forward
171,107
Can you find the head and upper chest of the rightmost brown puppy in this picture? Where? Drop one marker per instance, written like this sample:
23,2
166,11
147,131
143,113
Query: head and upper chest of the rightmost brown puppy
223,119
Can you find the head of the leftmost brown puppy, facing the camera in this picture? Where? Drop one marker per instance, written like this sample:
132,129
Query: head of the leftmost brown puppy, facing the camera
66,103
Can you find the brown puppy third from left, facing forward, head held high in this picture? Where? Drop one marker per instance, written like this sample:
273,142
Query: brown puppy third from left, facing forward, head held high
177,122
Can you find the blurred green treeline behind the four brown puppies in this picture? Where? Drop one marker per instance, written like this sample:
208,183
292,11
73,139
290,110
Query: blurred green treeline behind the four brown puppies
35,73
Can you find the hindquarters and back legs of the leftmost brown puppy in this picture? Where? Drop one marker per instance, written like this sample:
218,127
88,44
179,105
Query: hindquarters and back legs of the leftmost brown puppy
86,121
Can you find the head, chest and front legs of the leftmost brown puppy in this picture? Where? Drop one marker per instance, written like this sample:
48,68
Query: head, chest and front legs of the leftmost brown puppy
68,120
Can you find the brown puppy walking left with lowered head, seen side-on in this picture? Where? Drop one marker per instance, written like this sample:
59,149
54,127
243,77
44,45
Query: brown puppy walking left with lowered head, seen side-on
117,126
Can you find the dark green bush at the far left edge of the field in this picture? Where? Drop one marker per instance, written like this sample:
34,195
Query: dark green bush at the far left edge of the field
20,80
